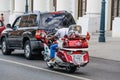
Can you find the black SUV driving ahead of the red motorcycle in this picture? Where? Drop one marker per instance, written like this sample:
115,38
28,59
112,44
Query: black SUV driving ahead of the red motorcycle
21,35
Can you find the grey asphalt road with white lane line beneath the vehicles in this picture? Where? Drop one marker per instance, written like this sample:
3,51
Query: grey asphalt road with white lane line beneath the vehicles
16,67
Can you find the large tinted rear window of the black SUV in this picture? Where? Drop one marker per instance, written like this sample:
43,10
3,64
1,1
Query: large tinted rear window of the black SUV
50,19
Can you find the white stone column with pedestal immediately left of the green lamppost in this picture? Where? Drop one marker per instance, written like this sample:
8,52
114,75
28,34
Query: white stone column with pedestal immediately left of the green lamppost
91,21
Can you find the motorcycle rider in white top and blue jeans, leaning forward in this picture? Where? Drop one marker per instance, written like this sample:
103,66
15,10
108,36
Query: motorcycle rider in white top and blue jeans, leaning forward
62,32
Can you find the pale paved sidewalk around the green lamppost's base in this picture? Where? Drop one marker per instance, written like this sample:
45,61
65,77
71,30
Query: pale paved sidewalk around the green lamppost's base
107,50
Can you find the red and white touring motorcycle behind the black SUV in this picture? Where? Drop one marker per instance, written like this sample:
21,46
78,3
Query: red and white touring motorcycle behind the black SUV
73,54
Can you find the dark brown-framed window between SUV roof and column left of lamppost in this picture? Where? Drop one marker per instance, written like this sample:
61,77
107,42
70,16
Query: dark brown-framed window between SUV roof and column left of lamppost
82,5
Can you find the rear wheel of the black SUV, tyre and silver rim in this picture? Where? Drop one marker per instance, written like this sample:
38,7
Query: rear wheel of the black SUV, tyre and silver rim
27,50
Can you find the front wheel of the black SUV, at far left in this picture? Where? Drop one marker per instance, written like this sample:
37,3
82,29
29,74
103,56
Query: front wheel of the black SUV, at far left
4,48
